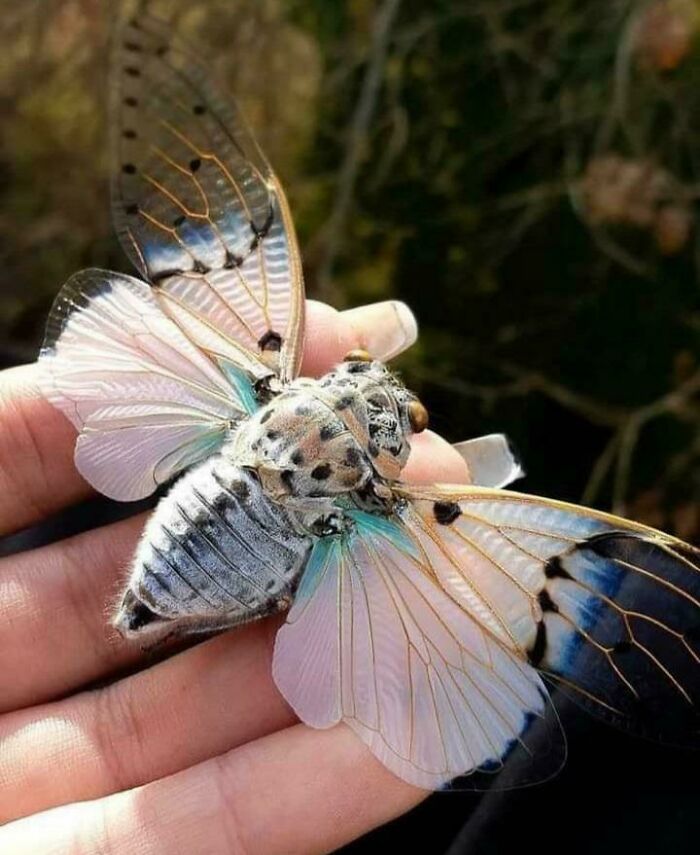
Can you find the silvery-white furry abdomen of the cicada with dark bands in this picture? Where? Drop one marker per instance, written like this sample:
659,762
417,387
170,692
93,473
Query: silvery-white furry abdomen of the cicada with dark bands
216,552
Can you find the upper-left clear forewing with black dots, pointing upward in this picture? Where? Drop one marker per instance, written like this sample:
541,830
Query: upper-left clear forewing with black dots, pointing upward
198,208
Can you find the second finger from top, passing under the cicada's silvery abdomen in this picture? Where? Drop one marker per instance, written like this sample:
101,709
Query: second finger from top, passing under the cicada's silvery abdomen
55,601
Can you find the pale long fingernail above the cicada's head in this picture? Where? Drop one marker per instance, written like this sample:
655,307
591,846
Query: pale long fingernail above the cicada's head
383,329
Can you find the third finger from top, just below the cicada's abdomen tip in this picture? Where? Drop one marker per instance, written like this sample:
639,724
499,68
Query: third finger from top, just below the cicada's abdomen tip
200,703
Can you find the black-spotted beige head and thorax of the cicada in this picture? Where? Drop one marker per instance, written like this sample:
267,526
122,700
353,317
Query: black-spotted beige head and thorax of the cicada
322,438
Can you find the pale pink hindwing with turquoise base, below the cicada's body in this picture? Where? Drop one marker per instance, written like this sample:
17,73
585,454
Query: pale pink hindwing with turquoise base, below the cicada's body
374,641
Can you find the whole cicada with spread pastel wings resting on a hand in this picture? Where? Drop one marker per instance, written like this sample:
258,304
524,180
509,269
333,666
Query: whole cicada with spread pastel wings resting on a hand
423,617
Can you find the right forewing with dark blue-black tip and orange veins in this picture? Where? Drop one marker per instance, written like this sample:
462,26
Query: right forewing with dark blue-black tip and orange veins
608,608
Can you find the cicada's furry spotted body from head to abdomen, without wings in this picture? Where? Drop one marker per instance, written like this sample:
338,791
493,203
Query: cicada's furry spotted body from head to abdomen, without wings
230,540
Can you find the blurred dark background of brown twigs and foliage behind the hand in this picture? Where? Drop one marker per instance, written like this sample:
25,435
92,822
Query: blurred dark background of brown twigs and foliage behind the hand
526,175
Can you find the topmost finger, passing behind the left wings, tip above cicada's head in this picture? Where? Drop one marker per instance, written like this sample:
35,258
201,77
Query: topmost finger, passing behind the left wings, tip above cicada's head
37,474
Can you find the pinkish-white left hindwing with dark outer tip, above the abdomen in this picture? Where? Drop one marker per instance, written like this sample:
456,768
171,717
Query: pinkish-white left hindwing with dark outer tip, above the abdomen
147,402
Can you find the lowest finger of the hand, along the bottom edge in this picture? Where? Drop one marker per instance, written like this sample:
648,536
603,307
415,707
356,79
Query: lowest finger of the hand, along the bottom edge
295,791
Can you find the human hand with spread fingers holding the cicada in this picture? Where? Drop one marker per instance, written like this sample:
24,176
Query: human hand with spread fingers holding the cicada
198,753
